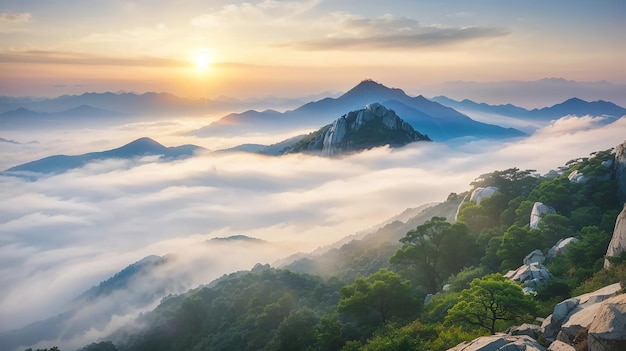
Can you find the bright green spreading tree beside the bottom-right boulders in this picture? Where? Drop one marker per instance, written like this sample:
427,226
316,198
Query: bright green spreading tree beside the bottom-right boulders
492,303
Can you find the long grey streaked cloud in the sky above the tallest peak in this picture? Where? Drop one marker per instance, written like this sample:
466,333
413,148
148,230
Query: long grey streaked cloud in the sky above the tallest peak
385,32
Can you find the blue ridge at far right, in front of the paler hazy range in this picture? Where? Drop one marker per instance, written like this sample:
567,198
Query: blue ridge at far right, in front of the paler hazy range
571,107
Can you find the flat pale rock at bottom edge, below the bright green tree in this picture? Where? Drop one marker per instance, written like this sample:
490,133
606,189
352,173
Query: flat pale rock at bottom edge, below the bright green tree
500,343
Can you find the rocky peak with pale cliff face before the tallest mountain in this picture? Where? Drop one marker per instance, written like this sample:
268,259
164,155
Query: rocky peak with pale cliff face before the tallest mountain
363,129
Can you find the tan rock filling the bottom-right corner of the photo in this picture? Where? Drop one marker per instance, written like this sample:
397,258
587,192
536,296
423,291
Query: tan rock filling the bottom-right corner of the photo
608,329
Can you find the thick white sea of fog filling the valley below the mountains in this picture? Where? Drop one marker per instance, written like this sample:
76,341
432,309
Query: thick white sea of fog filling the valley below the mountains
61,234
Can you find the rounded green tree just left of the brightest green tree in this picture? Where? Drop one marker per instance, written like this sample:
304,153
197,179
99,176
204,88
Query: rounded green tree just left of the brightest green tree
382,294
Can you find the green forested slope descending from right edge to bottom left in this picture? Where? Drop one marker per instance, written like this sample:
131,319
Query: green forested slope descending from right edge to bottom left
367,294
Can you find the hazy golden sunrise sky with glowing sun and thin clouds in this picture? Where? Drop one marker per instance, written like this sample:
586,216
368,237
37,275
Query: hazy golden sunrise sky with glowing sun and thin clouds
298,47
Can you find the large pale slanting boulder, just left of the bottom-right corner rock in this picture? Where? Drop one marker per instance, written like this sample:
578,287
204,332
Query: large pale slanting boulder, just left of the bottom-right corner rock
565,321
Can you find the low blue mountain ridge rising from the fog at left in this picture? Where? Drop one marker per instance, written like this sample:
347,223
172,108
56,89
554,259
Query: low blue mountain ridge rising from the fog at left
140,147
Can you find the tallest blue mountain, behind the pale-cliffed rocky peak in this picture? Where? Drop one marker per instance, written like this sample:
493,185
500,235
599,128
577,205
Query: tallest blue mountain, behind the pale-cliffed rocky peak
438,121
